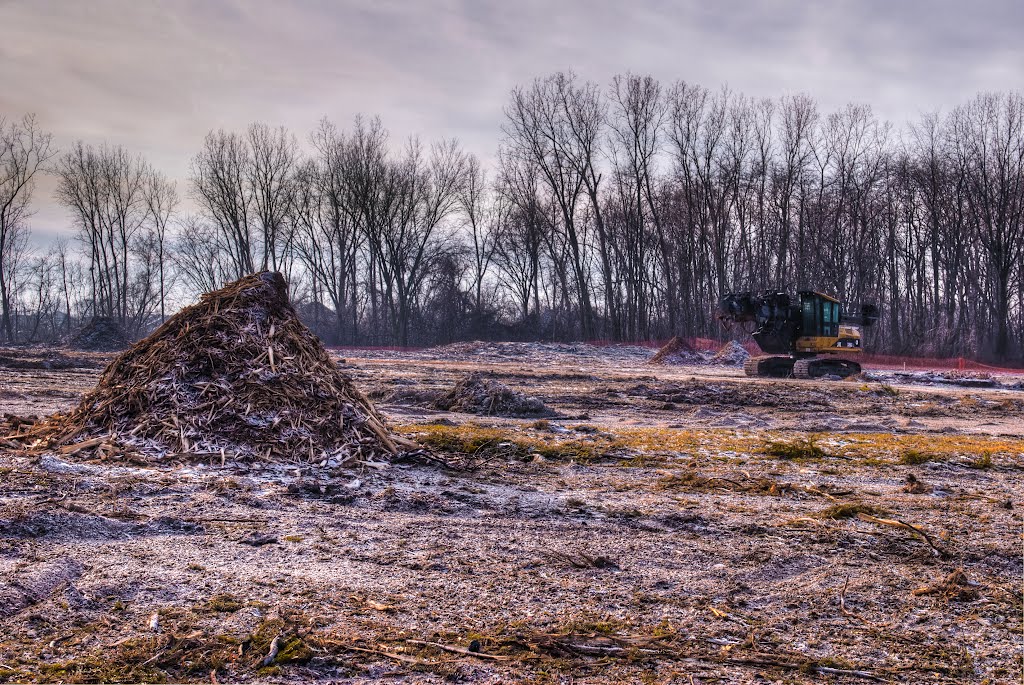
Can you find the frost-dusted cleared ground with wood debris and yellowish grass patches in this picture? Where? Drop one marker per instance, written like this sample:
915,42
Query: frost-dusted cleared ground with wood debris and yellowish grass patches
656,525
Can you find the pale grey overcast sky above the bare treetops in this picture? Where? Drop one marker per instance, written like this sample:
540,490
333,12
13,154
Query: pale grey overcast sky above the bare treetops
156,75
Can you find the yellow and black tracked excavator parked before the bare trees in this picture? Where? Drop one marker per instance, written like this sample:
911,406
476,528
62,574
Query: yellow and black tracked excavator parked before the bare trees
803,334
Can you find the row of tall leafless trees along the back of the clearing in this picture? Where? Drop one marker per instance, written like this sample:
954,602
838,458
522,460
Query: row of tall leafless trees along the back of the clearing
621,212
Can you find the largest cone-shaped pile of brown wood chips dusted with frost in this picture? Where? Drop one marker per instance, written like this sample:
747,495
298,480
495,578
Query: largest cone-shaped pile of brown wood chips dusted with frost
237,374
